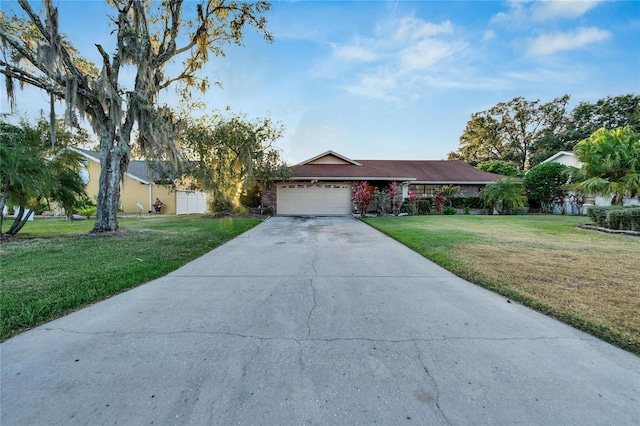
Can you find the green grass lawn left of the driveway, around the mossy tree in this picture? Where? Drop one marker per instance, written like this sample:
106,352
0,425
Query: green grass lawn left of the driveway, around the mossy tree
54,267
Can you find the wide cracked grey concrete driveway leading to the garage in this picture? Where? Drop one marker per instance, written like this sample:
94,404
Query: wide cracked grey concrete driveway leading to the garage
314,321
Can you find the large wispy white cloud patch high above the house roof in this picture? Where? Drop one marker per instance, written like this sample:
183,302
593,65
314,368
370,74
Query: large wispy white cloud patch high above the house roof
395,61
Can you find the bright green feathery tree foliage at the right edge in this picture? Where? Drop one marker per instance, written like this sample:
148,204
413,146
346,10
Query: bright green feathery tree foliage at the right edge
610,164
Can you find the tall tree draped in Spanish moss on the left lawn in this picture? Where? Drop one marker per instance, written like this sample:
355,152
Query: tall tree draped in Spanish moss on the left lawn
148,36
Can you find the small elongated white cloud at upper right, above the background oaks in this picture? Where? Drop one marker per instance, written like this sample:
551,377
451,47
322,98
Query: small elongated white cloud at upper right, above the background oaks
547,44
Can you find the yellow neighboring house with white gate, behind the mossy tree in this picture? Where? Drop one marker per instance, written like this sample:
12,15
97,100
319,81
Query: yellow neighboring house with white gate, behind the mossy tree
139,187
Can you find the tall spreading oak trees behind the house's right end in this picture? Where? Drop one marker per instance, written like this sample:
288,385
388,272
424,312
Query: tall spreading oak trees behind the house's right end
527,133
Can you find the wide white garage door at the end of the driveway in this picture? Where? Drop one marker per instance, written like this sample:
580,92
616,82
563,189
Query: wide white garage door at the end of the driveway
318,199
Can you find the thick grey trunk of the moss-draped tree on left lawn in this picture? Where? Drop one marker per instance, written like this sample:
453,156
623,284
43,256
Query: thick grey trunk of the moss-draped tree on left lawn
114,158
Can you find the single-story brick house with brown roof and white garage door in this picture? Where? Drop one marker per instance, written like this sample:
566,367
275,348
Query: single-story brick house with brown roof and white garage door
322,185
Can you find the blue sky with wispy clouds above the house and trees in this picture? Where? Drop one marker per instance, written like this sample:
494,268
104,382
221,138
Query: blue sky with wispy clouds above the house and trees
399,79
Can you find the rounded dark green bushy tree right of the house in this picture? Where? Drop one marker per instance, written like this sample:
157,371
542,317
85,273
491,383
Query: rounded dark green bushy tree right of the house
545,184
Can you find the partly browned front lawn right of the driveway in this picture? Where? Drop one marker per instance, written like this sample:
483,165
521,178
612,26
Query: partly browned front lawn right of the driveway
588,279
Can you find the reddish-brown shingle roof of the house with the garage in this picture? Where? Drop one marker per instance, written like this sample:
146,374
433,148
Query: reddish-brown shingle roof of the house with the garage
425,171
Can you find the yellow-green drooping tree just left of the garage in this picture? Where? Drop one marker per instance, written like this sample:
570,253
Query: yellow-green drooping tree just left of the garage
227,155
